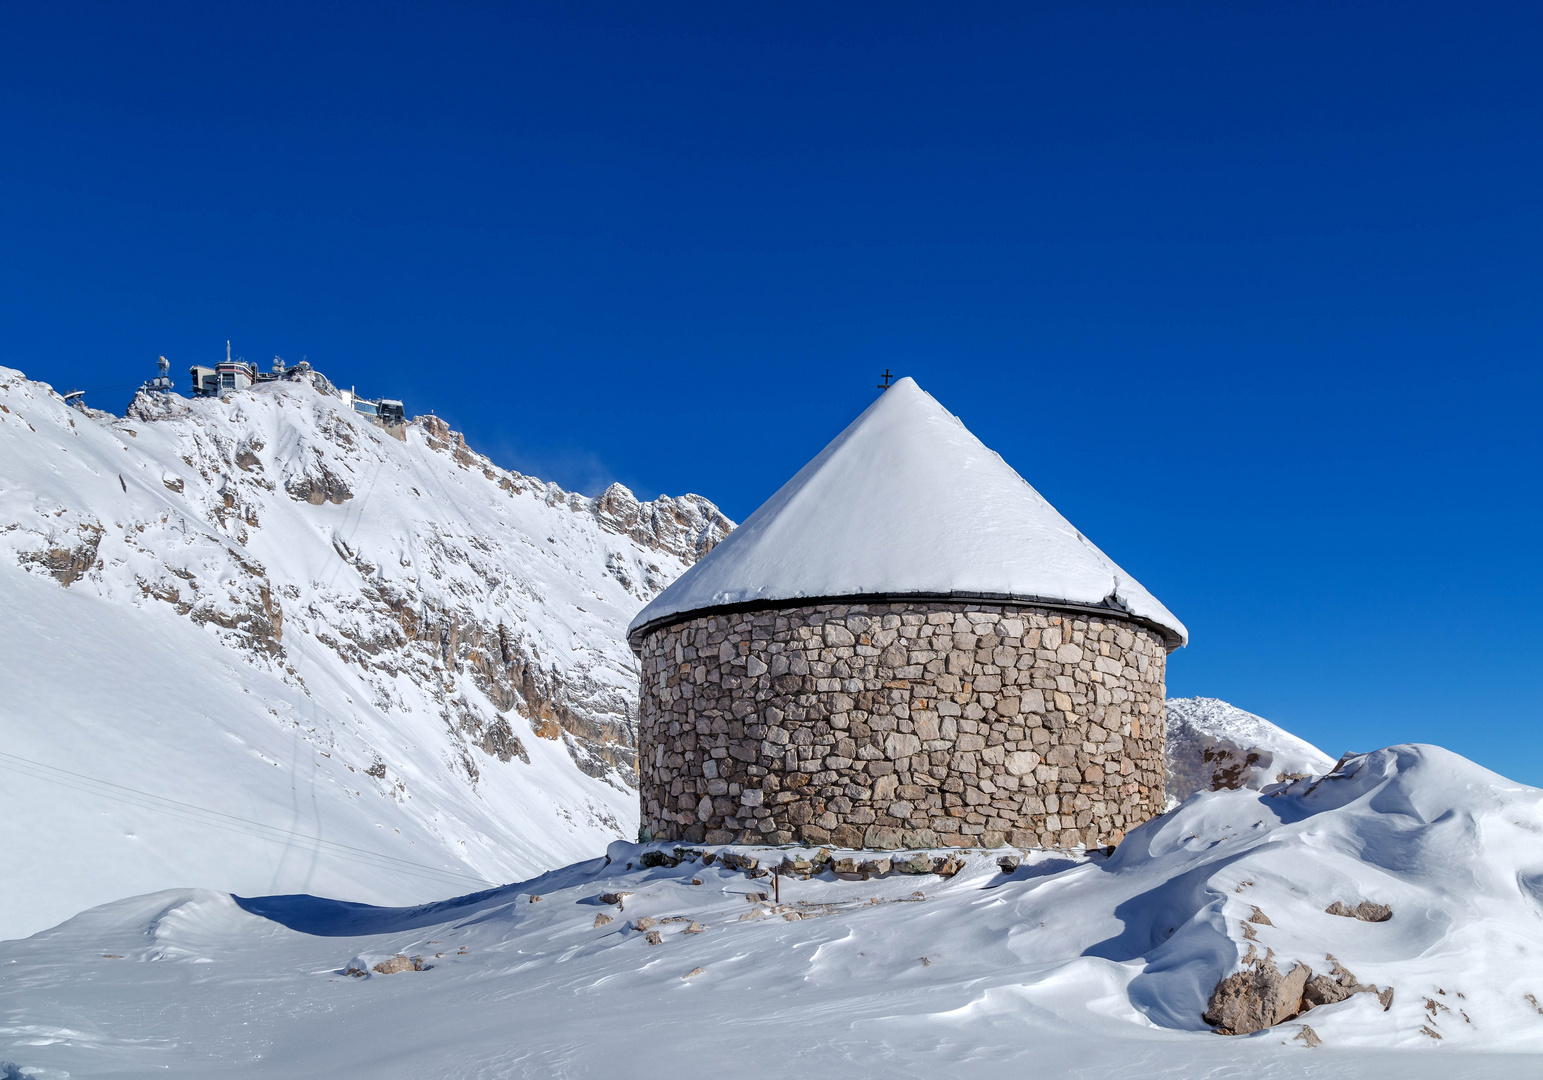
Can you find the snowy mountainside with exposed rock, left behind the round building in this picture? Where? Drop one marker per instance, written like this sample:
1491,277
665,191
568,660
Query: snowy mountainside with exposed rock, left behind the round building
265,646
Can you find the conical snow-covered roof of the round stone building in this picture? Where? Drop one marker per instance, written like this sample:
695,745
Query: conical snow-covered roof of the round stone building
907,502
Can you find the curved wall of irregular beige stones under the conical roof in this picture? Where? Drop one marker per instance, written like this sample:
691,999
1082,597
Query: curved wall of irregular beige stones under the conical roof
899,726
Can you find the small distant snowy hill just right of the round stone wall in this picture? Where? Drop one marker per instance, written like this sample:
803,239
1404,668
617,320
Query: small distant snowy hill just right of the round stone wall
1217,746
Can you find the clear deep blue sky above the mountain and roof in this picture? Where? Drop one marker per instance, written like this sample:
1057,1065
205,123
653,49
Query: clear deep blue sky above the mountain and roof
1251,292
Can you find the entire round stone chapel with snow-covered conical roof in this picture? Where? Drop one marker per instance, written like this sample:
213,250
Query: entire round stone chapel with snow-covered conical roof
905,647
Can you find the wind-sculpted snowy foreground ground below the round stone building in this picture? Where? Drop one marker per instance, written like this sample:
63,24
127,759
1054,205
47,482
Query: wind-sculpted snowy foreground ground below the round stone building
1069,967
